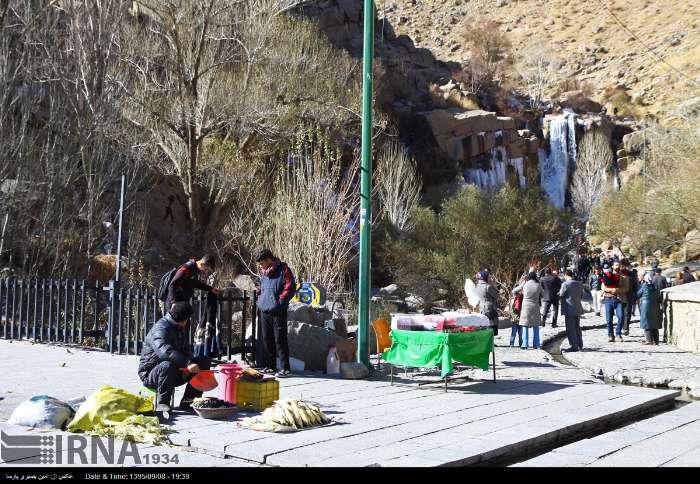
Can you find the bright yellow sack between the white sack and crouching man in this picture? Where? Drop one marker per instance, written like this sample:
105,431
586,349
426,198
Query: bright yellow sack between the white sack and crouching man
108,406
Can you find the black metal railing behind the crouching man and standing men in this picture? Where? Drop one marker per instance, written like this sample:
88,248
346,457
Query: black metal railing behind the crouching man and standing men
115,318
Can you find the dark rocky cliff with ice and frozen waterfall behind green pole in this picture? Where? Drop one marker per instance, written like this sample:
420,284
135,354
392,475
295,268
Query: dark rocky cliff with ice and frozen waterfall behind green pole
452,138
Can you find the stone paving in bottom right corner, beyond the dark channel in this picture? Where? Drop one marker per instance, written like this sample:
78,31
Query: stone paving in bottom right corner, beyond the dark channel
669,439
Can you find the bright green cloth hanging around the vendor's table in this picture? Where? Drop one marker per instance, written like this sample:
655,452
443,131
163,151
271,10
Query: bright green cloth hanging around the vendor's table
430,349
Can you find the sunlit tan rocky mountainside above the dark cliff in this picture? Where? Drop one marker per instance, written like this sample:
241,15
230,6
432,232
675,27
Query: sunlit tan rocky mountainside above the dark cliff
649,48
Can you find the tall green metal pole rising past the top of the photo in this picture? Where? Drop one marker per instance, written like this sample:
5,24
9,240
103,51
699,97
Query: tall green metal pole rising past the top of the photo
366,187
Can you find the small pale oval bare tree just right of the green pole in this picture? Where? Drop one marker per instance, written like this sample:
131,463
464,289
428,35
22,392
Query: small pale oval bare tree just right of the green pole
399,185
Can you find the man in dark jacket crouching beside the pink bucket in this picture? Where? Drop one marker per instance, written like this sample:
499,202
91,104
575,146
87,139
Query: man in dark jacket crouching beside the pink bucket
165,352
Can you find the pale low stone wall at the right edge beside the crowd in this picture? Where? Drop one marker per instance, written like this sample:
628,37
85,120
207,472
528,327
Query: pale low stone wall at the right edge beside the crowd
682,316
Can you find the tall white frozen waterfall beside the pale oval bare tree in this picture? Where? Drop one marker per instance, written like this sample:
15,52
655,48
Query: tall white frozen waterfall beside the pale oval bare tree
555,166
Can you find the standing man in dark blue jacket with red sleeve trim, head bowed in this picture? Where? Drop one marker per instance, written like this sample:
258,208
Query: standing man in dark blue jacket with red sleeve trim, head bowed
277,287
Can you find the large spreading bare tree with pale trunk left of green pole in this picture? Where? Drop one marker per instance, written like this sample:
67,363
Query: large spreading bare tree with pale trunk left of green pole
196,72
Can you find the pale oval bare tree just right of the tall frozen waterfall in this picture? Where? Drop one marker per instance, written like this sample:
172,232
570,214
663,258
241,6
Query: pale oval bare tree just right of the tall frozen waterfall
590,178
